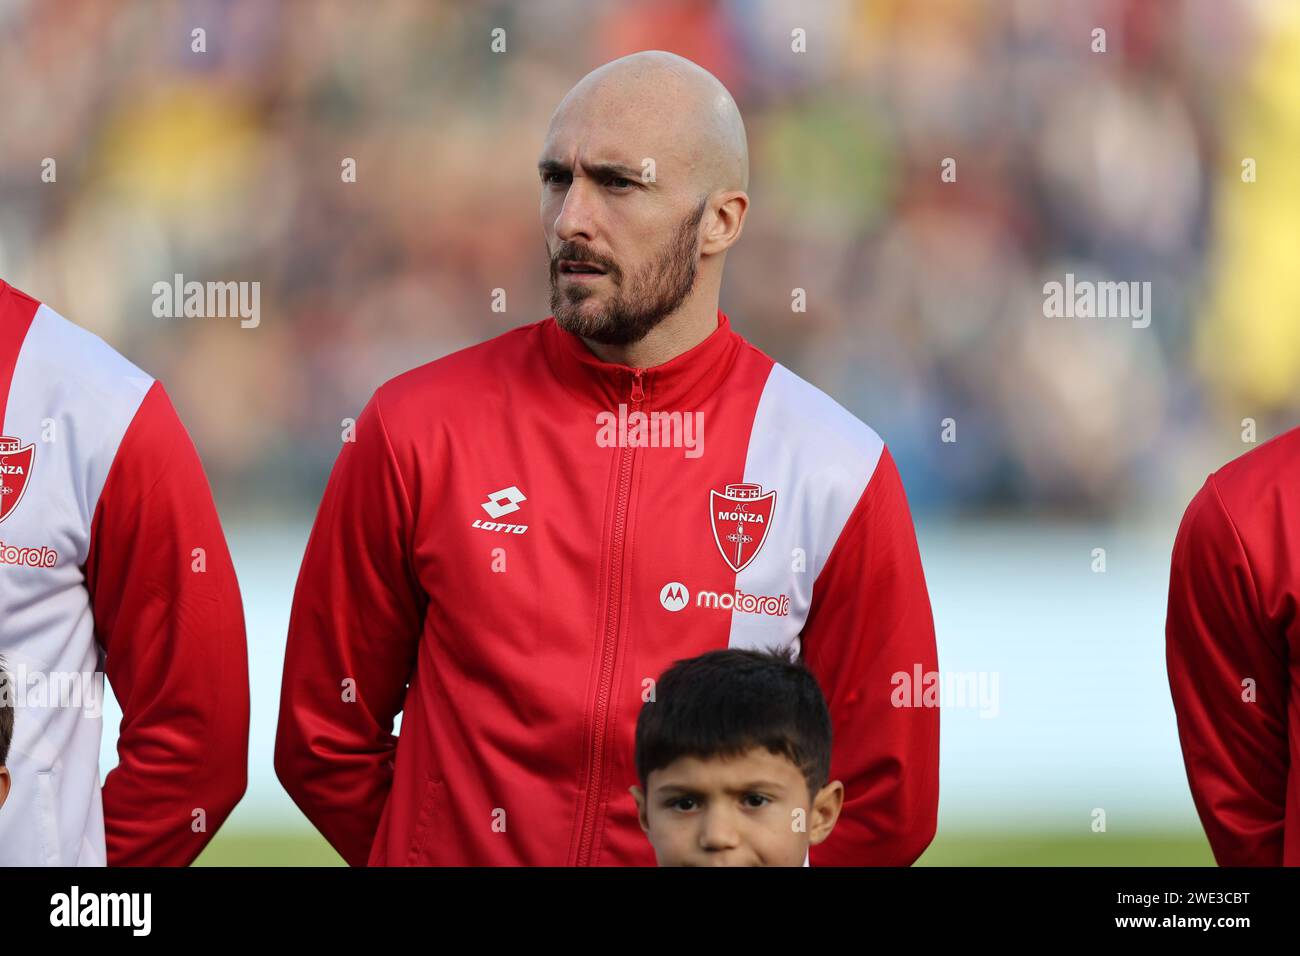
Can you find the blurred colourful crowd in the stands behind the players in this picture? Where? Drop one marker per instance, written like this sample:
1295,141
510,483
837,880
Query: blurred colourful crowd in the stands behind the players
925,299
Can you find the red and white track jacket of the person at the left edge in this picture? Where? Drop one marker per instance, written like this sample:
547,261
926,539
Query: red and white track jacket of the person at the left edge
105,509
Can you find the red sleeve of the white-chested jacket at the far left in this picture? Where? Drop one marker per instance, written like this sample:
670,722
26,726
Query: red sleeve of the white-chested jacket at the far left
171,622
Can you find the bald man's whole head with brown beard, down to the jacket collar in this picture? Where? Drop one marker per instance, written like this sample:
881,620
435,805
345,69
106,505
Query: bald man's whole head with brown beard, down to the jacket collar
643,192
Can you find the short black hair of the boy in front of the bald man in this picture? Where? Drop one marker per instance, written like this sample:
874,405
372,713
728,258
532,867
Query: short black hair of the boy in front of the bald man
726,703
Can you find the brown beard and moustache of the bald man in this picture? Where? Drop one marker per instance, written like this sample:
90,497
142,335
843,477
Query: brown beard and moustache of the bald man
653,295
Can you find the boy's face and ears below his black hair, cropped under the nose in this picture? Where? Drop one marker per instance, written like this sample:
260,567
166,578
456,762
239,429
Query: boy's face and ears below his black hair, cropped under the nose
748,811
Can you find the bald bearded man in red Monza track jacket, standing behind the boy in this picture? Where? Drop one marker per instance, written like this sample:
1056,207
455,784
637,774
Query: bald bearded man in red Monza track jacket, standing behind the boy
526,534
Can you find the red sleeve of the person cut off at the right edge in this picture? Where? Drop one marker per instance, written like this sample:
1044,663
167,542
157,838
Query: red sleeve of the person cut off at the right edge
1216,638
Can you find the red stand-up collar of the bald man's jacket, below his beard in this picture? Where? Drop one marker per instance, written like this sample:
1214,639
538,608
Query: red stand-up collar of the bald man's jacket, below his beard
682,383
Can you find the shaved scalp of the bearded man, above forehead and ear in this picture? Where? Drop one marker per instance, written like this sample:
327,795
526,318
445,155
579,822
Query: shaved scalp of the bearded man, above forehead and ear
664,107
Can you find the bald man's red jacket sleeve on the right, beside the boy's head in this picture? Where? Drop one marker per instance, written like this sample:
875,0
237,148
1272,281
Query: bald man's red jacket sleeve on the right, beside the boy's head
870,622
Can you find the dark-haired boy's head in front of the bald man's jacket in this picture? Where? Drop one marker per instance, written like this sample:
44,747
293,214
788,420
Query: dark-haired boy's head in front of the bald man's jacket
734,755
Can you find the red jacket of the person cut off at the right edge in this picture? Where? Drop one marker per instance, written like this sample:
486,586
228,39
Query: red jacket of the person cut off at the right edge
1233,648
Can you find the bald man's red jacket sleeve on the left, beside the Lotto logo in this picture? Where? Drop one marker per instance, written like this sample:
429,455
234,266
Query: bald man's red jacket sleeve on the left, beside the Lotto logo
353,637
